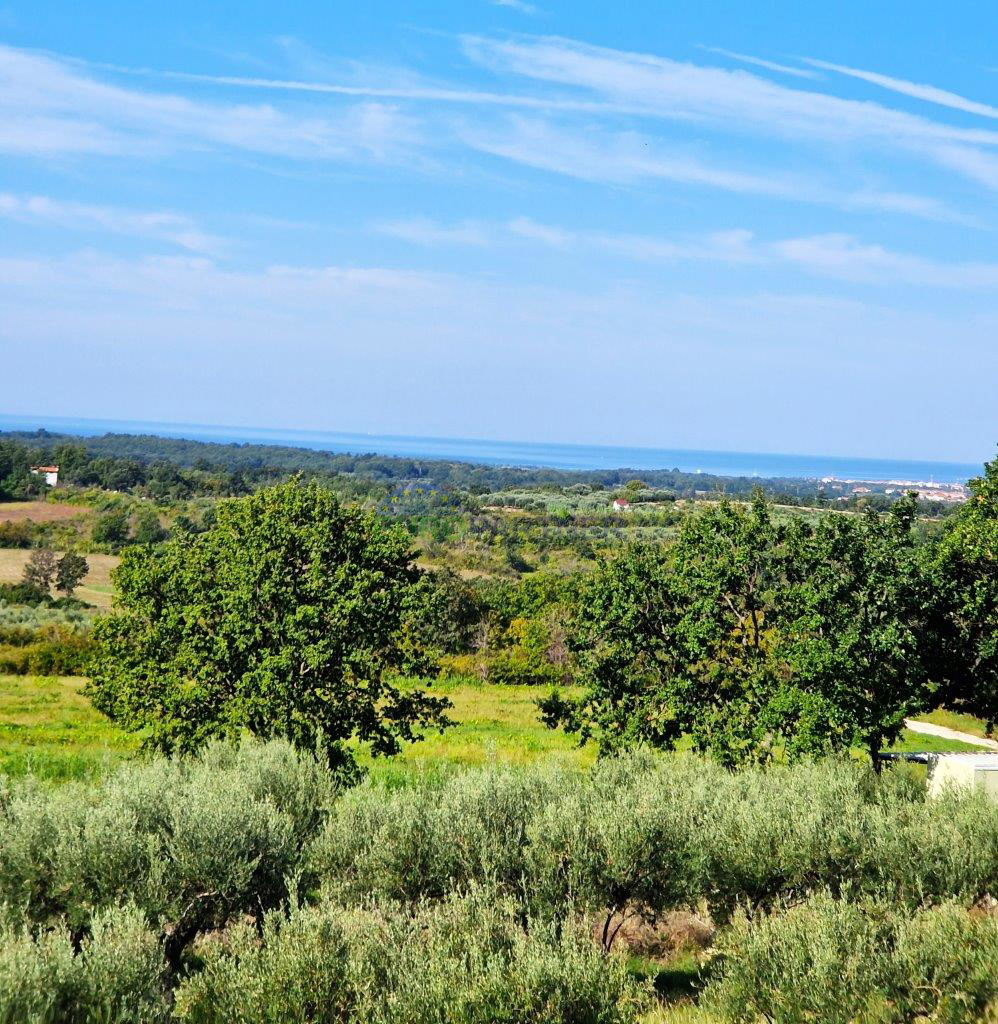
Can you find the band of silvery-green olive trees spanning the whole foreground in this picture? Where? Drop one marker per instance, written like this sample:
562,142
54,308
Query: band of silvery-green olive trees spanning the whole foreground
250,885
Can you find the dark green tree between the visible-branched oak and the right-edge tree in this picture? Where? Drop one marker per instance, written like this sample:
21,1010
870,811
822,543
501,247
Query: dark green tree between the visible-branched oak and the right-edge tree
855,632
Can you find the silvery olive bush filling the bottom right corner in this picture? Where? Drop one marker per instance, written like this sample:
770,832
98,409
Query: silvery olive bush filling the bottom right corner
841,962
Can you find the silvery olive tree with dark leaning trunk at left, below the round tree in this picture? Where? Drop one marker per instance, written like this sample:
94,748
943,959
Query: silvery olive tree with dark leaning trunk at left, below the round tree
192,843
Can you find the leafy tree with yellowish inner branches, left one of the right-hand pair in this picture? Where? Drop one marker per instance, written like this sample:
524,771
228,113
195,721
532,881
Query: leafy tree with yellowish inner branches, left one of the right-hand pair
676,642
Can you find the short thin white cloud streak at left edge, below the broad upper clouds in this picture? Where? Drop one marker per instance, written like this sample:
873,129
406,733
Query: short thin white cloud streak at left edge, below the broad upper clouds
159,226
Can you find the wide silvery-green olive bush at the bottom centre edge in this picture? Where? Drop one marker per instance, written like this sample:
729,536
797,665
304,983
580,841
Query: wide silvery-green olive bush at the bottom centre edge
466,961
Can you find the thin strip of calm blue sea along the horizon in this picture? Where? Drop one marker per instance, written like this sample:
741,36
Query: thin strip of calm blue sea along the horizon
527,453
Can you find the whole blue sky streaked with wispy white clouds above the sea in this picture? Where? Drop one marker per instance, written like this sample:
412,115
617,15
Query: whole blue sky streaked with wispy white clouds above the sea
760,227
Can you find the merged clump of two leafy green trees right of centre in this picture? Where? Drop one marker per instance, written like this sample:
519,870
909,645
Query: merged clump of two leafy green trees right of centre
757,638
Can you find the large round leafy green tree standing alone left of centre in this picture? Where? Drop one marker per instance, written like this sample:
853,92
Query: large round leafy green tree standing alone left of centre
282,620
